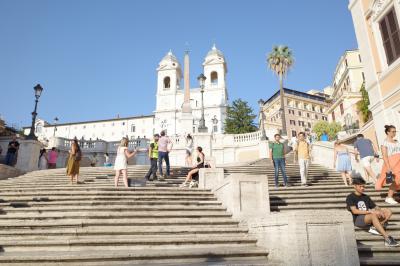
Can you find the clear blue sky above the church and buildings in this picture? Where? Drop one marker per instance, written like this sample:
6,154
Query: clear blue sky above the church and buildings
97,59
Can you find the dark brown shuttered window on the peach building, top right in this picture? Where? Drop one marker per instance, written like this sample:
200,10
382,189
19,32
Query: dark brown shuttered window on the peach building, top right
390,36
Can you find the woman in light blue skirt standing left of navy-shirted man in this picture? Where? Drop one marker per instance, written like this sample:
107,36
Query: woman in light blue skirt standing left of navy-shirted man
341,155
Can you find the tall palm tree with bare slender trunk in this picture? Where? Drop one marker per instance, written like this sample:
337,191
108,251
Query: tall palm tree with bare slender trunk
280,60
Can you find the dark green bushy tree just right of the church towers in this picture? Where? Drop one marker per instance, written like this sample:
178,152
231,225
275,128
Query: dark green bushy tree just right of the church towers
239,118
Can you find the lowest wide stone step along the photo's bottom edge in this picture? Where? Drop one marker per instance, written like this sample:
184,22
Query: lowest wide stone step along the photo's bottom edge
147,256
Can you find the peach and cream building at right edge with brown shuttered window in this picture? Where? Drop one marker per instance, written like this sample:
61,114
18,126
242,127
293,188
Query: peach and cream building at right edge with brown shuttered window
376,24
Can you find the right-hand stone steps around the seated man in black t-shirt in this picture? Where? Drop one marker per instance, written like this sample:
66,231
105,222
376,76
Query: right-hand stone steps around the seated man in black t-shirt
327,191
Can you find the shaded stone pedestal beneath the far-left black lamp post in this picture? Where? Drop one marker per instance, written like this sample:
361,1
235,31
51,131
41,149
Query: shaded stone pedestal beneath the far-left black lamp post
28,155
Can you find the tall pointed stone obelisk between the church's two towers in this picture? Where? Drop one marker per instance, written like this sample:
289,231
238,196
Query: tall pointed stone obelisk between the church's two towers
186,114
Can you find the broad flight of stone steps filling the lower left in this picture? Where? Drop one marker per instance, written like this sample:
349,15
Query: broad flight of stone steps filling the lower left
47,221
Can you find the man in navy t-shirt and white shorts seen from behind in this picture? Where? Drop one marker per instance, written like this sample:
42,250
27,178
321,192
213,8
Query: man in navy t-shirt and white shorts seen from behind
367,152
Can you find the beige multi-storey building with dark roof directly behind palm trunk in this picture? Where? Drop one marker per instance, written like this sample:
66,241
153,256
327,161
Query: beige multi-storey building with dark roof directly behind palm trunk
302,111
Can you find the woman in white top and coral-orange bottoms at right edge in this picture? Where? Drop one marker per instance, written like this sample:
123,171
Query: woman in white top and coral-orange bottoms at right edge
391,166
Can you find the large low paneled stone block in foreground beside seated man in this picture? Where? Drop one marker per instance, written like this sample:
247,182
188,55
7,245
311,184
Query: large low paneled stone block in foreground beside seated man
307,237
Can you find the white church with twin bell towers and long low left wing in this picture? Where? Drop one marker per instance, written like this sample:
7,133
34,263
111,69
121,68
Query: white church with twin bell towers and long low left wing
177,110
